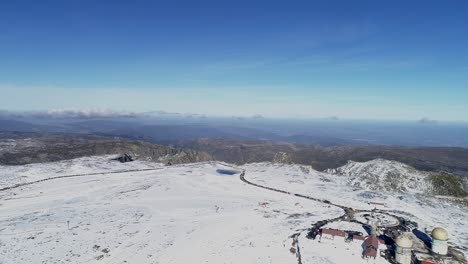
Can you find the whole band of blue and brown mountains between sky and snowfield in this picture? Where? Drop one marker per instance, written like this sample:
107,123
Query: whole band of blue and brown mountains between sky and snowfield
323,144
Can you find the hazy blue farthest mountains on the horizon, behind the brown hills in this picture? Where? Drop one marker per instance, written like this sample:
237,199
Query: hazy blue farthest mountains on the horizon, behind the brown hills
174,130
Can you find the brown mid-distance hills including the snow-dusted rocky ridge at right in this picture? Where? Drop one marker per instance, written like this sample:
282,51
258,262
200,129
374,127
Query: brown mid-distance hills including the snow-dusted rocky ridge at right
435,170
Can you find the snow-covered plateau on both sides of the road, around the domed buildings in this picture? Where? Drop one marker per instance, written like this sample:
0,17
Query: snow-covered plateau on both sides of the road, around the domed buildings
143,212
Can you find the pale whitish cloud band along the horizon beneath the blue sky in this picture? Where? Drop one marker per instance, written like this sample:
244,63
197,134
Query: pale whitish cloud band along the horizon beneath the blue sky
225,101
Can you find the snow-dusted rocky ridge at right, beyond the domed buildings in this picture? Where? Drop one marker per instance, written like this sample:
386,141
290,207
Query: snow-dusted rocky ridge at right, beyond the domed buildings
384,175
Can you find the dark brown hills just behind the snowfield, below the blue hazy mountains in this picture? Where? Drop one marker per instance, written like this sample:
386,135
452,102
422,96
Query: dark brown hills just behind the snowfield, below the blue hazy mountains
21,148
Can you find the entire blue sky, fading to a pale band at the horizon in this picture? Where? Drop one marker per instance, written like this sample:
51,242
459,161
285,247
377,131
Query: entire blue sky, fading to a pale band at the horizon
351,59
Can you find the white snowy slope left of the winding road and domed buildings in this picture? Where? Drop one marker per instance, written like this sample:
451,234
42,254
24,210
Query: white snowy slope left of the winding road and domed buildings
179,214
